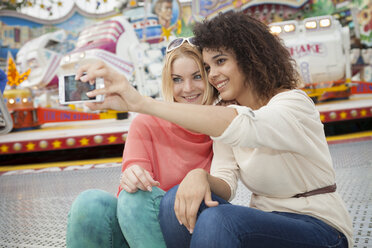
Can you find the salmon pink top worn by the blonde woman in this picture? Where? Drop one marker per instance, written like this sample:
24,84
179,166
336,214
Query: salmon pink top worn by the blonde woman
166,150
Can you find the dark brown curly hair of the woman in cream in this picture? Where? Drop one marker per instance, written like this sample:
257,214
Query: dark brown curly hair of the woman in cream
261,56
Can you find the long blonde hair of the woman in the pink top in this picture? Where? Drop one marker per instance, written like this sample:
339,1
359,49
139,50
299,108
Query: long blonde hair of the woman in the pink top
185,50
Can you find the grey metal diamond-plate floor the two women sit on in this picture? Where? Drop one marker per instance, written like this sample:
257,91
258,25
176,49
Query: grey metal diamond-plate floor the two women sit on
34,207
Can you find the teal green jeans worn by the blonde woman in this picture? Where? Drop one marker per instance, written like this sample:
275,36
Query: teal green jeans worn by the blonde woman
99,219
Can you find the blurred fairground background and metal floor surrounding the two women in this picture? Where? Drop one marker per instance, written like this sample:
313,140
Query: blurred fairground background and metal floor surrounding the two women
50,152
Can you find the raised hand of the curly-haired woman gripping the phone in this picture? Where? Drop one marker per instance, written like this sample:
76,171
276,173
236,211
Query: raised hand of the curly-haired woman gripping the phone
119,93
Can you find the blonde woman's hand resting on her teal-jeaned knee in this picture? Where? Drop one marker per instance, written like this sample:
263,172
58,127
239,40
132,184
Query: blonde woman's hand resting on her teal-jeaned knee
135,177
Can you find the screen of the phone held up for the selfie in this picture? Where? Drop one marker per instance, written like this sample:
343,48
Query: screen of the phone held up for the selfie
75,90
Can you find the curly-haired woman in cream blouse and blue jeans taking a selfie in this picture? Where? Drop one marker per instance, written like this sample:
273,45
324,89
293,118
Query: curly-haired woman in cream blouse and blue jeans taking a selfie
272,140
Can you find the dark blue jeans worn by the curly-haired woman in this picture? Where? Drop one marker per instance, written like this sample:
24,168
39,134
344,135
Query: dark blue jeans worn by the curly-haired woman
230,225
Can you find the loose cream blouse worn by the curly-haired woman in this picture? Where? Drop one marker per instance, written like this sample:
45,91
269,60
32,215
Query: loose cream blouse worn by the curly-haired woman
277,152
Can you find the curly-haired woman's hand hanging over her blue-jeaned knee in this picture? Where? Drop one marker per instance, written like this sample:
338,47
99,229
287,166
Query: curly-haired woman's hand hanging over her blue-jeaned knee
193,189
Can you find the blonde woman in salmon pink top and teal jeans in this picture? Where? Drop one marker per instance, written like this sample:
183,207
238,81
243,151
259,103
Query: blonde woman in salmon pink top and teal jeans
157,156
